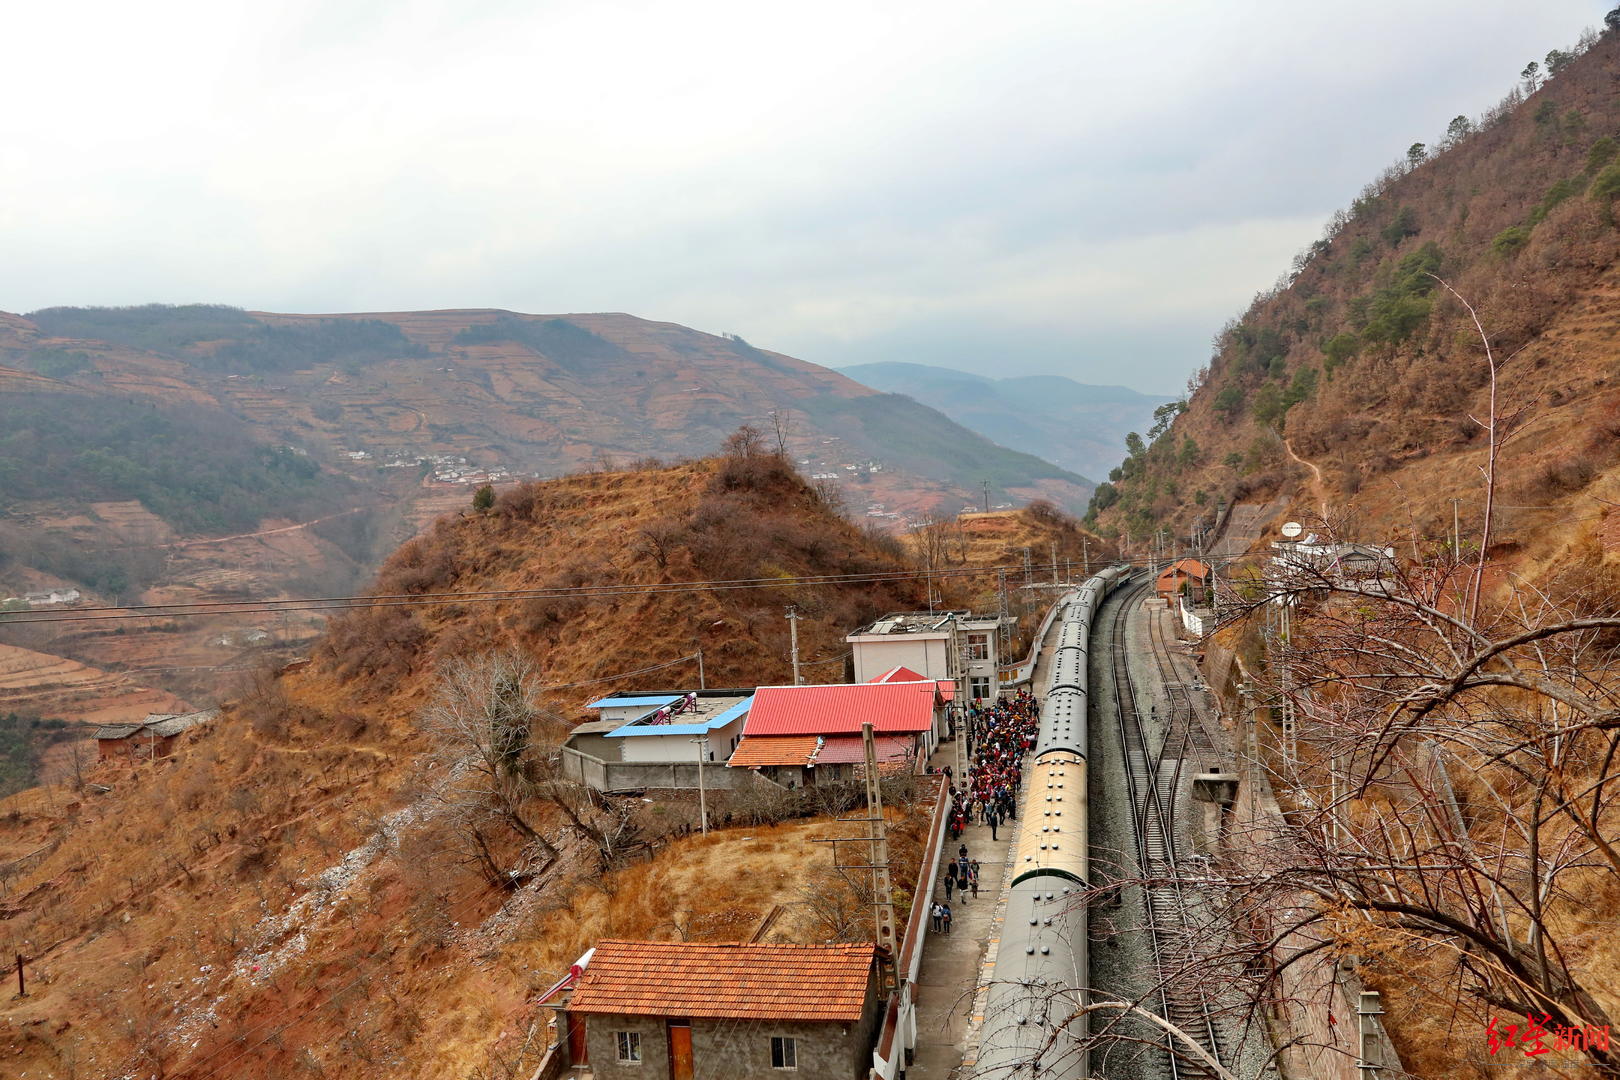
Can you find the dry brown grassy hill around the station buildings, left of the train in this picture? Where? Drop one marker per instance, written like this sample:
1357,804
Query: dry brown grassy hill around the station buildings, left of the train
286,896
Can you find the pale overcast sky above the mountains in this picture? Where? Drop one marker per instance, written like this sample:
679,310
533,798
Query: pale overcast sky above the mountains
1085,189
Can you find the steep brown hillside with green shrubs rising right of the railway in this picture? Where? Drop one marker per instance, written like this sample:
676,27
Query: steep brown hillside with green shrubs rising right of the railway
1355,383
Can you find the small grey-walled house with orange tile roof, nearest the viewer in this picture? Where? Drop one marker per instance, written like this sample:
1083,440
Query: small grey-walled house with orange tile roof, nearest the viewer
678,1011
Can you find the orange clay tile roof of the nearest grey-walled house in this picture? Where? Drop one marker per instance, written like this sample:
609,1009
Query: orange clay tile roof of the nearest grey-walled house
678,979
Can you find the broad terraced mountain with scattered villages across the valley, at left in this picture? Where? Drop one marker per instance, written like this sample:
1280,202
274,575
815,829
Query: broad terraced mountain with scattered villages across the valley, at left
404,415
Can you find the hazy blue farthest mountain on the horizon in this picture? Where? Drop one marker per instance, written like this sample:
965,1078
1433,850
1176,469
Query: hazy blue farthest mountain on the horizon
1070,423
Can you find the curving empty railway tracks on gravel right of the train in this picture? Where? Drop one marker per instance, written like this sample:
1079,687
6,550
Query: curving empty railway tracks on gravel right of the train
1153,784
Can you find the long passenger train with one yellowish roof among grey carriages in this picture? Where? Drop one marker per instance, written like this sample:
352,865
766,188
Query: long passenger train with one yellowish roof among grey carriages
1042,959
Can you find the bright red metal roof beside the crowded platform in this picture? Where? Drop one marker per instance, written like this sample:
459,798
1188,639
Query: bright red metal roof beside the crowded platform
842,710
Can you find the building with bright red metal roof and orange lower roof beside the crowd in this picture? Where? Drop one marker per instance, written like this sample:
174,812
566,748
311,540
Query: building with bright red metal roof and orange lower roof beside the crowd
795,729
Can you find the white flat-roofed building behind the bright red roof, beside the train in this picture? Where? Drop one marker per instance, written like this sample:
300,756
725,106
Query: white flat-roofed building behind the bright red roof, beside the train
955,647
